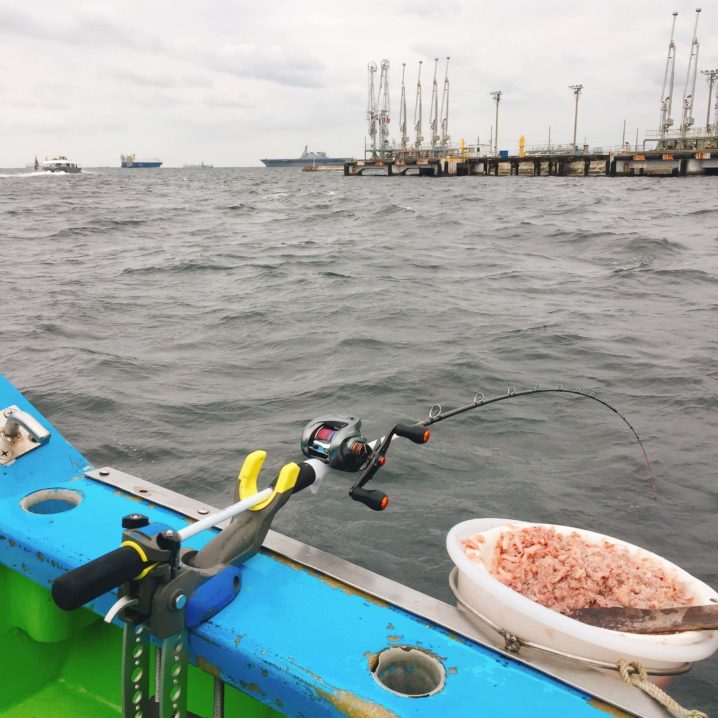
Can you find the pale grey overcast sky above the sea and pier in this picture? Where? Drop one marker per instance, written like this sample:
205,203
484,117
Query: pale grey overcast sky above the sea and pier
231,81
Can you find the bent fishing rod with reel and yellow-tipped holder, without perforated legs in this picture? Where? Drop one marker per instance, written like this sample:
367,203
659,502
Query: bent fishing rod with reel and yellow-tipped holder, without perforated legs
329,442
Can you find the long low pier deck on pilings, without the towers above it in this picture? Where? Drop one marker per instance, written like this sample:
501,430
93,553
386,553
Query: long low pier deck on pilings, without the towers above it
614,164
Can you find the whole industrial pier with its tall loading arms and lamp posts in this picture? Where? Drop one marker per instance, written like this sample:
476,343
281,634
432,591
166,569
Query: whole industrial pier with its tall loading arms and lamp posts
675,150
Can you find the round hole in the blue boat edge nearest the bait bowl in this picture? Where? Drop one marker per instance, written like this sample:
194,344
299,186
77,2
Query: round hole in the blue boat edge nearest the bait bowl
408,671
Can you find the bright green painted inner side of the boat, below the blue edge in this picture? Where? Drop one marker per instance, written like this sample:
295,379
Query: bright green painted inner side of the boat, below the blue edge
68,664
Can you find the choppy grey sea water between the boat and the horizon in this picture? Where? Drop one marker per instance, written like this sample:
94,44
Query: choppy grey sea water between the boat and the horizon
169,322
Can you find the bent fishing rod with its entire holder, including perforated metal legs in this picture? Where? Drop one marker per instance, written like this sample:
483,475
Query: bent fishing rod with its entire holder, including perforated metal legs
166,588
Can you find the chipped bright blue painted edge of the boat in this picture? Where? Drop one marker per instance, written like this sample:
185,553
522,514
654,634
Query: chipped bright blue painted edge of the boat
297,640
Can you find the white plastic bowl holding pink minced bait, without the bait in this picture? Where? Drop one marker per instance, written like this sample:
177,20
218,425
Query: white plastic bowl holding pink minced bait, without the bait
535,623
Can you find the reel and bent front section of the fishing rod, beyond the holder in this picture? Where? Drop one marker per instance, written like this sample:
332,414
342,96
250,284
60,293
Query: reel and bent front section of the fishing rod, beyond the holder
338,442
